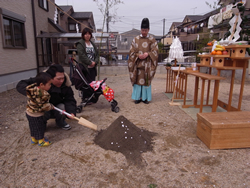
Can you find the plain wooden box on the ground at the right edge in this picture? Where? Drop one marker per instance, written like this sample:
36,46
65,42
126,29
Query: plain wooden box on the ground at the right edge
224,130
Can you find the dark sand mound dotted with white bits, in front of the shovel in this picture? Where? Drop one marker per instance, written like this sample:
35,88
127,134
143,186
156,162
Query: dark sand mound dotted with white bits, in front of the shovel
124,137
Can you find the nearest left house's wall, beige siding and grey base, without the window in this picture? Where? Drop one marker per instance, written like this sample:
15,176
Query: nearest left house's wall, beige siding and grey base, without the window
16,64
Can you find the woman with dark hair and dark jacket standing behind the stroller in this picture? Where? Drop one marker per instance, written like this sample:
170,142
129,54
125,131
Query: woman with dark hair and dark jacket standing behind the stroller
88,54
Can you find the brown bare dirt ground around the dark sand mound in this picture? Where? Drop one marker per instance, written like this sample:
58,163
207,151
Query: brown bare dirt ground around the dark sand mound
178,158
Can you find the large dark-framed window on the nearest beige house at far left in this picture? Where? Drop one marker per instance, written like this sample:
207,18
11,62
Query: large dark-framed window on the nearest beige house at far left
13,29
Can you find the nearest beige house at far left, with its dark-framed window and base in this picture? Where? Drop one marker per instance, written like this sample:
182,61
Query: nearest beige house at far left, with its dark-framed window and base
17,42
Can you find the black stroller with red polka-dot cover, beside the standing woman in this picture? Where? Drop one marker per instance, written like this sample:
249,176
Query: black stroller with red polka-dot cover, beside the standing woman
90,92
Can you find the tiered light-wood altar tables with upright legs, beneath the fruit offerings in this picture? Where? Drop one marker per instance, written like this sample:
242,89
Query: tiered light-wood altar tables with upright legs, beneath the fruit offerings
234,60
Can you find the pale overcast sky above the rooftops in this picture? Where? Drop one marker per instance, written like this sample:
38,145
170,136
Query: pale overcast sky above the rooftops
131,12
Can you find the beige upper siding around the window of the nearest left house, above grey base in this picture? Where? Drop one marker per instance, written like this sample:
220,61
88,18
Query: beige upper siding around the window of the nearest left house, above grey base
16,60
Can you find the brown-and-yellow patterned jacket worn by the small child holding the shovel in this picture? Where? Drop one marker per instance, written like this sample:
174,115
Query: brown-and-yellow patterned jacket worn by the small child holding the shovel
38,100
